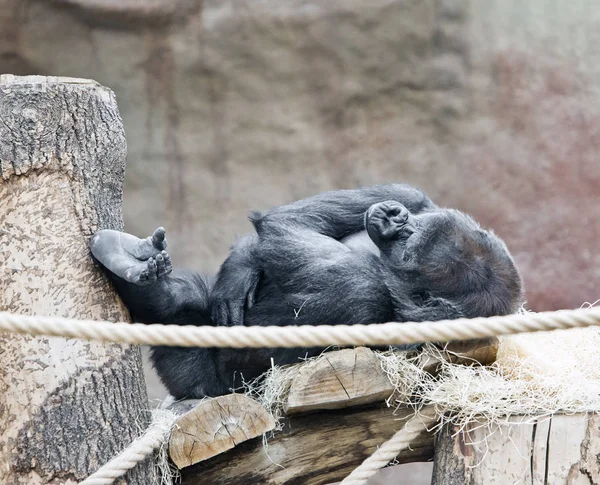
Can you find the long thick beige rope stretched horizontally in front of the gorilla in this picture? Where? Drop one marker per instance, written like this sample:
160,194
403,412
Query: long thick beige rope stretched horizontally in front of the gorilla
298,336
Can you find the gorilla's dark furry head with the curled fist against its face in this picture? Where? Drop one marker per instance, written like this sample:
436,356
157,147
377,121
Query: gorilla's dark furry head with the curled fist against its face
443,253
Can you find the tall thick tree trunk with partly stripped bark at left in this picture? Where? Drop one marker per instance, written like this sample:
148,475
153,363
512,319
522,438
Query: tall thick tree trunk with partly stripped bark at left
66,406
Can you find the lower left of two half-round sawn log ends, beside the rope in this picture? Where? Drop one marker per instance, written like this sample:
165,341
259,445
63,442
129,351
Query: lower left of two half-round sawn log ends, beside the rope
214,426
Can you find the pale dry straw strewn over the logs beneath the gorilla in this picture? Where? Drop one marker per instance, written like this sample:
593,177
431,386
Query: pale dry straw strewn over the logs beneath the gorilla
535,375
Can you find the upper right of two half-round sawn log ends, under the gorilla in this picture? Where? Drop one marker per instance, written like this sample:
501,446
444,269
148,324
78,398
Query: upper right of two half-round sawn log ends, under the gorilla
340,379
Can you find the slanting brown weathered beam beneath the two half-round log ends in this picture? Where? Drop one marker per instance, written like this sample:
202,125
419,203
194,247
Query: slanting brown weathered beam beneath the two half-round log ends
315,449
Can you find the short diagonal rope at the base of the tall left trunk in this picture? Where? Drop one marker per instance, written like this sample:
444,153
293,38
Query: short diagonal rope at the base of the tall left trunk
136,452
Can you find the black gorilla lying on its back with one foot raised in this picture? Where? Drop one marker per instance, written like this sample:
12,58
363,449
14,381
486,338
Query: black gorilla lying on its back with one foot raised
372,255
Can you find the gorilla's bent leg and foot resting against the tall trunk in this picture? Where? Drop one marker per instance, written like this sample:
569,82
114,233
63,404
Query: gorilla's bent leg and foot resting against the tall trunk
155,294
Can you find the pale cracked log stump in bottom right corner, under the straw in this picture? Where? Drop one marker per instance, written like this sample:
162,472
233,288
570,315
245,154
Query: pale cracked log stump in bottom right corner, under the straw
558,450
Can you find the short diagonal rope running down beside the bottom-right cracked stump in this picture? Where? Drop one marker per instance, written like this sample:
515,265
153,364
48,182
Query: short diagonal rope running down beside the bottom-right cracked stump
389,450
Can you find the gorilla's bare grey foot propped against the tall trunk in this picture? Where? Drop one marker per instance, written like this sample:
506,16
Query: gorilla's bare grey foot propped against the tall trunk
137,261
